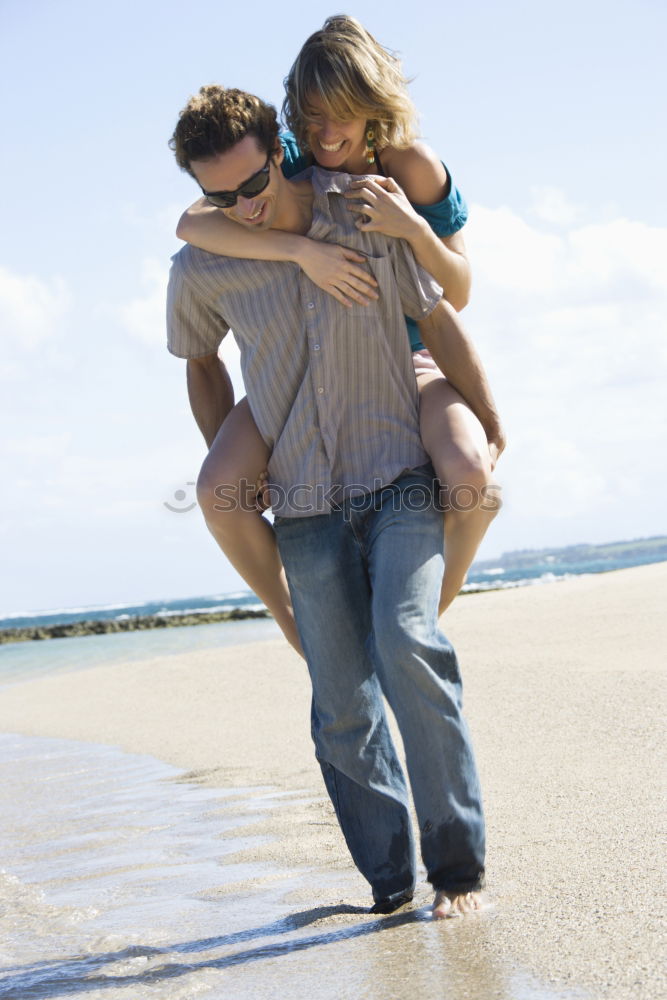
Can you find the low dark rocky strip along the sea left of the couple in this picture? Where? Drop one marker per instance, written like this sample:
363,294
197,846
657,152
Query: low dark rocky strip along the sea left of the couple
134,623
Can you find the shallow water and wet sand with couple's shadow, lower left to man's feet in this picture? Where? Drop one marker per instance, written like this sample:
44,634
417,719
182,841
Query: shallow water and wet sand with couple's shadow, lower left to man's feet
115,884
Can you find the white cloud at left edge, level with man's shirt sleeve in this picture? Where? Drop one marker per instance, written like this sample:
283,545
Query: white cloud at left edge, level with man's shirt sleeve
31,309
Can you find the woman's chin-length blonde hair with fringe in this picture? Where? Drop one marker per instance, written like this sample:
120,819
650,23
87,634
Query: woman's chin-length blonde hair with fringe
354,77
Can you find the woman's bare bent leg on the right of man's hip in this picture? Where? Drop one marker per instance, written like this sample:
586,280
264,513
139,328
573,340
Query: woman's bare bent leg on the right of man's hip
455,440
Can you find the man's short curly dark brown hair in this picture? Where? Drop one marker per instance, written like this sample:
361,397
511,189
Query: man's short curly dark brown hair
216,119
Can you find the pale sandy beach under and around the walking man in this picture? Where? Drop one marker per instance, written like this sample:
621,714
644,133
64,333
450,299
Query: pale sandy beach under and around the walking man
564,693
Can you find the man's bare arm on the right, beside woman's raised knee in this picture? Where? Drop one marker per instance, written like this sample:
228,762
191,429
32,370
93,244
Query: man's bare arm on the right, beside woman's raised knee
452,349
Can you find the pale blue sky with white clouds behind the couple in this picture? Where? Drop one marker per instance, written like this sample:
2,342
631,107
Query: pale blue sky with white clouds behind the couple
551,119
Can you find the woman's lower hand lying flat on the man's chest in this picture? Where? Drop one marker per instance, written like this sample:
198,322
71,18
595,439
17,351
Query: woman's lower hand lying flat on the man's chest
337,271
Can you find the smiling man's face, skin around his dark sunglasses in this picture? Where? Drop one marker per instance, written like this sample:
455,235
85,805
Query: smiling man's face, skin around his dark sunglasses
229,171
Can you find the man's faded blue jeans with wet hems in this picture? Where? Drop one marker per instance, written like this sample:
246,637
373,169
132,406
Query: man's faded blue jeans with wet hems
365,584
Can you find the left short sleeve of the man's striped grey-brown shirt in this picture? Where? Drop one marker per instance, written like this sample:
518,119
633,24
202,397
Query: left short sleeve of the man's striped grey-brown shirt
194,328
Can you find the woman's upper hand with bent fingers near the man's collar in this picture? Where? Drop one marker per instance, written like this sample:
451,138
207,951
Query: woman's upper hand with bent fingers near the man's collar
383,207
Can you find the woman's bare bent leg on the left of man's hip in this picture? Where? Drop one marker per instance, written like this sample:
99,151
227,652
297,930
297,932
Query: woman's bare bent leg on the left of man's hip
226,494
